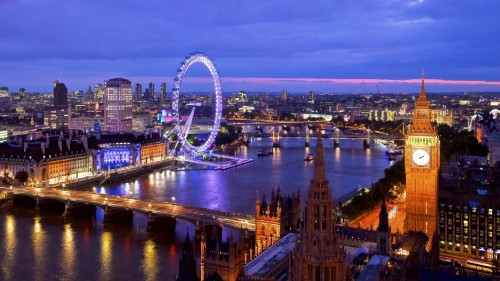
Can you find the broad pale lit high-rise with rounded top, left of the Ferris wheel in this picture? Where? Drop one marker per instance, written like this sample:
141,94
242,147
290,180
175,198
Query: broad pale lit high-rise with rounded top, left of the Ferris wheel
117,105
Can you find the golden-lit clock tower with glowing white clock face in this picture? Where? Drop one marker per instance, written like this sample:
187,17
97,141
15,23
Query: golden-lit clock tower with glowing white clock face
422,170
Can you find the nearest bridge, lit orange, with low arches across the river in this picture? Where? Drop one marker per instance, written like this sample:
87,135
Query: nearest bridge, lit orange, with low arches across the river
116,207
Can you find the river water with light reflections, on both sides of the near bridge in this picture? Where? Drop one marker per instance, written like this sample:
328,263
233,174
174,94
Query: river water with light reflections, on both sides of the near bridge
46,246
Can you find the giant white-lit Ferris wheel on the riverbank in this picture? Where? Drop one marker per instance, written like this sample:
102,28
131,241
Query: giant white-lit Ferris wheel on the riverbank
182,131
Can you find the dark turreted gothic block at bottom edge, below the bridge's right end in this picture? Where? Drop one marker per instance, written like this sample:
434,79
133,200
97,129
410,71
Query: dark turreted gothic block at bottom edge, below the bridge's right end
218,260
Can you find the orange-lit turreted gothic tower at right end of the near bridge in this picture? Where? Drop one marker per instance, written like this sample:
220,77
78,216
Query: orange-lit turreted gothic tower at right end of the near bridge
275,218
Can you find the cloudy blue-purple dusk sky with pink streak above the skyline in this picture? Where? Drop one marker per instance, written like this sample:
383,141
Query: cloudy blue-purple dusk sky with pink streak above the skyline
257,45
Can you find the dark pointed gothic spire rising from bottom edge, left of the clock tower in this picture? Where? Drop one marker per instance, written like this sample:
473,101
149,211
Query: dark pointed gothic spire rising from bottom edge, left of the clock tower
318,253
